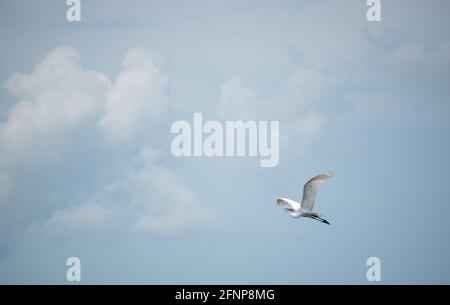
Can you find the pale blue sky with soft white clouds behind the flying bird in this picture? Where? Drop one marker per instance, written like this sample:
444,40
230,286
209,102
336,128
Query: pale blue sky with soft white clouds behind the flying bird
86,168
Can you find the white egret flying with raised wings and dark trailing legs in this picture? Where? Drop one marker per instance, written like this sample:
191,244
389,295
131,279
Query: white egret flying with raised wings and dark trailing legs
305,208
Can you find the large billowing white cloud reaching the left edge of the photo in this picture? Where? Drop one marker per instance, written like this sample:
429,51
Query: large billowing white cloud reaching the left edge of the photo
58,94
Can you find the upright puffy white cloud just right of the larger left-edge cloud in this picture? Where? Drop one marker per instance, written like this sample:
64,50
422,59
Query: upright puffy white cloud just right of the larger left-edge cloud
138,97
